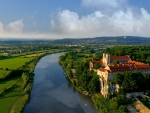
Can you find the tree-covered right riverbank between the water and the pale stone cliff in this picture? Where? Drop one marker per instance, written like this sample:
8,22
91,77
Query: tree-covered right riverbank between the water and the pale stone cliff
87,82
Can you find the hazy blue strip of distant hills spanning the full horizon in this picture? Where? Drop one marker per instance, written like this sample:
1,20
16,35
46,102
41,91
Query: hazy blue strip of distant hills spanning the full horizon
132,40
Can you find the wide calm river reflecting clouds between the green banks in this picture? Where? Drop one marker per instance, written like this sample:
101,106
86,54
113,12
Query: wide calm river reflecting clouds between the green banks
52,91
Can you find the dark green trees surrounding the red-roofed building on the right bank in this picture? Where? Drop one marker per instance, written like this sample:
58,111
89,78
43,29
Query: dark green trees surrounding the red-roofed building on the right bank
87,81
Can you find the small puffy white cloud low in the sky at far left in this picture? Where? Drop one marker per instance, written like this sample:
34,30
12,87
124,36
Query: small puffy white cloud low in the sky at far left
14,27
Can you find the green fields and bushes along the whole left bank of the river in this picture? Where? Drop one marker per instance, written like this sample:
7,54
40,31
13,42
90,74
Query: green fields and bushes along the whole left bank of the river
16,74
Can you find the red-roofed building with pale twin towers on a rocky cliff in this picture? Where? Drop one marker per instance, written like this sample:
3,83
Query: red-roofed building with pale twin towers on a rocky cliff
108,69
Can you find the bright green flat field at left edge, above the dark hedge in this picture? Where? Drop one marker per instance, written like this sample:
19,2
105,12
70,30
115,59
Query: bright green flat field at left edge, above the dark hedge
14,63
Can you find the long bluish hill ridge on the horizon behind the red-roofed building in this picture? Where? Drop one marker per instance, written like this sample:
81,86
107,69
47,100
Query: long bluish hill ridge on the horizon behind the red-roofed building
106,40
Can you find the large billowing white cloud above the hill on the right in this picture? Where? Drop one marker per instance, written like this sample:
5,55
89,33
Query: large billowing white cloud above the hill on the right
122,22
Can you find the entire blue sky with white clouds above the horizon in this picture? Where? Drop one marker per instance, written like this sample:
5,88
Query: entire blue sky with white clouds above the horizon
55,19
